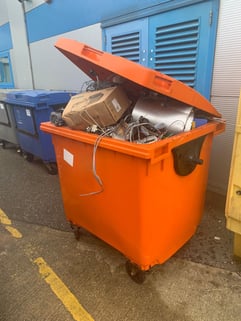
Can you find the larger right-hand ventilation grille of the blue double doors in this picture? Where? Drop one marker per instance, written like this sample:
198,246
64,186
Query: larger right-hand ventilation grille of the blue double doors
176,48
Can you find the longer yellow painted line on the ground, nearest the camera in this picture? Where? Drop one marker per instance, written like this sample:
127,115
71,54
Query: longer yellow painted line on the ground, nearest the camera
62,292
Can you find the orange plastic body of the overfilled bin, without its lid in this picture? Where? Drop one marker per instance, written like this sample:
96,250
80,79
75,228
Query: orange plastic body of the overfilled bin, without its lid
146,210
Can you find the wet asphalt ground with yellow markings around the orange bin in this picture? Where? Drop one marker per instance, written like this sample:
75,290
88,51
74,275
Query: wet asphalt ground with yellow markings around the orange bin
201,282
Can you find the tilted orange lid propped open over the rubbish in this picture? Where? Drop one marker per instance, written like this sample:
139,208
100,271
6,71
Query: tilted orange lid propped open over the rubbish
133,76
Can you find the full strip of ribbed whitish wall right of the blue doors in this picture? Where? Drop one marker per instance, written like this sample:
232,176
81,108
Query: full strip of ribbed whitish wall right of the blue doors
225,89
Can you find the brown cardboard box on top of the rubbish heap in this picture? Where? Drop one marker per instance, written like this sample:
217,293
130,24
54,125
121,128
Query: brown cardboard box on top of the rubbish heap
102,107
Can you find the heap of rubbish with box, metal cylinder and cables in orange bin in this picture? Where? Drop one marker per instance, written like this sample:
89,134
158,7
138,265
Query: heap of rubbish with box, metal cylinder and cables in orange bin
151,118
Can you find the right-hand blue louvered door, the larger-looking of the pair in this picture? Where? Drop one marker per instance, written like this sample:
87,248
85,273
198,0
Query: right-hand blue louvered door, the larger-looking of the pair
181,44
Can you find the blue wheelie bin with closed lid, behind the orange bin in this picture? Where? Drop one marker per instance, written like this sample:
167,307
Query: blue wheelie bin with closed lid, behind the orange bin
30,108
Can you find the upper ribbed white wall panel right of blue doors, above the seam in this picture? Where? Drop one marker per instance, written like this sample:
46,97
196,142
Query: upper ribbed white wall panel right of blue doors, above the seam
227,66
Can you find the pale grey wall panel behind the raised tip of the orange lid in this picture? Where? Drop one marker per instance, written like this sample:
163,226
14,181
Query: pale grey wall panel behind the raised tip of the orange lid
52,70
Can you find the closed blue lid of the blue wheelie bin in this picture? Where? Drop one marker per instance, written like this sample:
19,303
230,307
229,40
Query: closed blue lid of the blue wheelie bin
38,98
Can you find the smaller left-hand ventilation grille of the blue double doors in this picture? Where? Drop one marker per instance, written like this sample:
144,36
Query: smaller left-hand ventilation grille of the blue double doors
127,46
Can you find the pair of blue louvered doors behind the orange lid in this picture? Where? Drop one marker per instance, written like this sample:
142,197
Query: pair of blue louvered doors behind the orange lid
179,43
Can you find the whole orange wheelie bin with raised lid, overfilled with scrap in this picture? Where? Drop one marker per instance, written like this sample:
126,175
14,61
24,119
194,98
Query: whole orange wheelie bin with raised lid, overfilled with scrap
145,200
